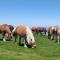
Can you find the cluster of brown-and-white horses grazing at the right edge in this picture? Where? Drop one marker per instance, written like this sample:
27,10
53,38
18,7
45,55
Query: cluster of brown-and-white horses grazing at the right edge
54,31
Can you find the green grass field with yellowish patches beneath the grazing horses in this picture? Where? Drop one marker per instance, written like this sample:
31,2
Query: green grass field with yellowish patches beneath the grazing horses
46,50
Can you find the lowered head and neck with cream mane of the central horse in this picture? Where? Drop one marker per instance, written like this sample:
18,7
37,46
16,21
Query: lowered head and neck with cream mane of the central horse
30,38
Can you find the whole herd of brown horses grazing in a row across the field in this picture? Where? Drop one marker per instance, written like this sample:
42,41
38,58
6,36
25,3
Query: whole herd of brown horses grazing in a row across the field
26,34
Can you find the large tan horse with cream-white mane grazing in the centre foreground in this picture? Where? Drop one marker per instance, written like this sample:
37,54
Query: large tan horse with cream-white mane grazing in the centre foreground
26,33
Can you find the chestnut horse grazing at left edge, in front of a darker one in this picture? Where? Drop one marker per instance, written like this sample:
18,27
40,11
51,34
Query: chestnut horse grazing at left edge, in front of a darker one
5,30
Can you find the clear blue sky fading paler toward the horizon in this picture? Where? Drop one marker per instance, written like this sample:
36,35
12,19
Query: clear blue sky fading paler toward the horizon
30,12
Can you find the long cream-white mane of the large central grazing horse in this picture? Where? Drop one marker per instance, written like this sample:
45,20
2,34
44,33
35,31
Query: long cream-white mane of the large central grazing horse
29,35
